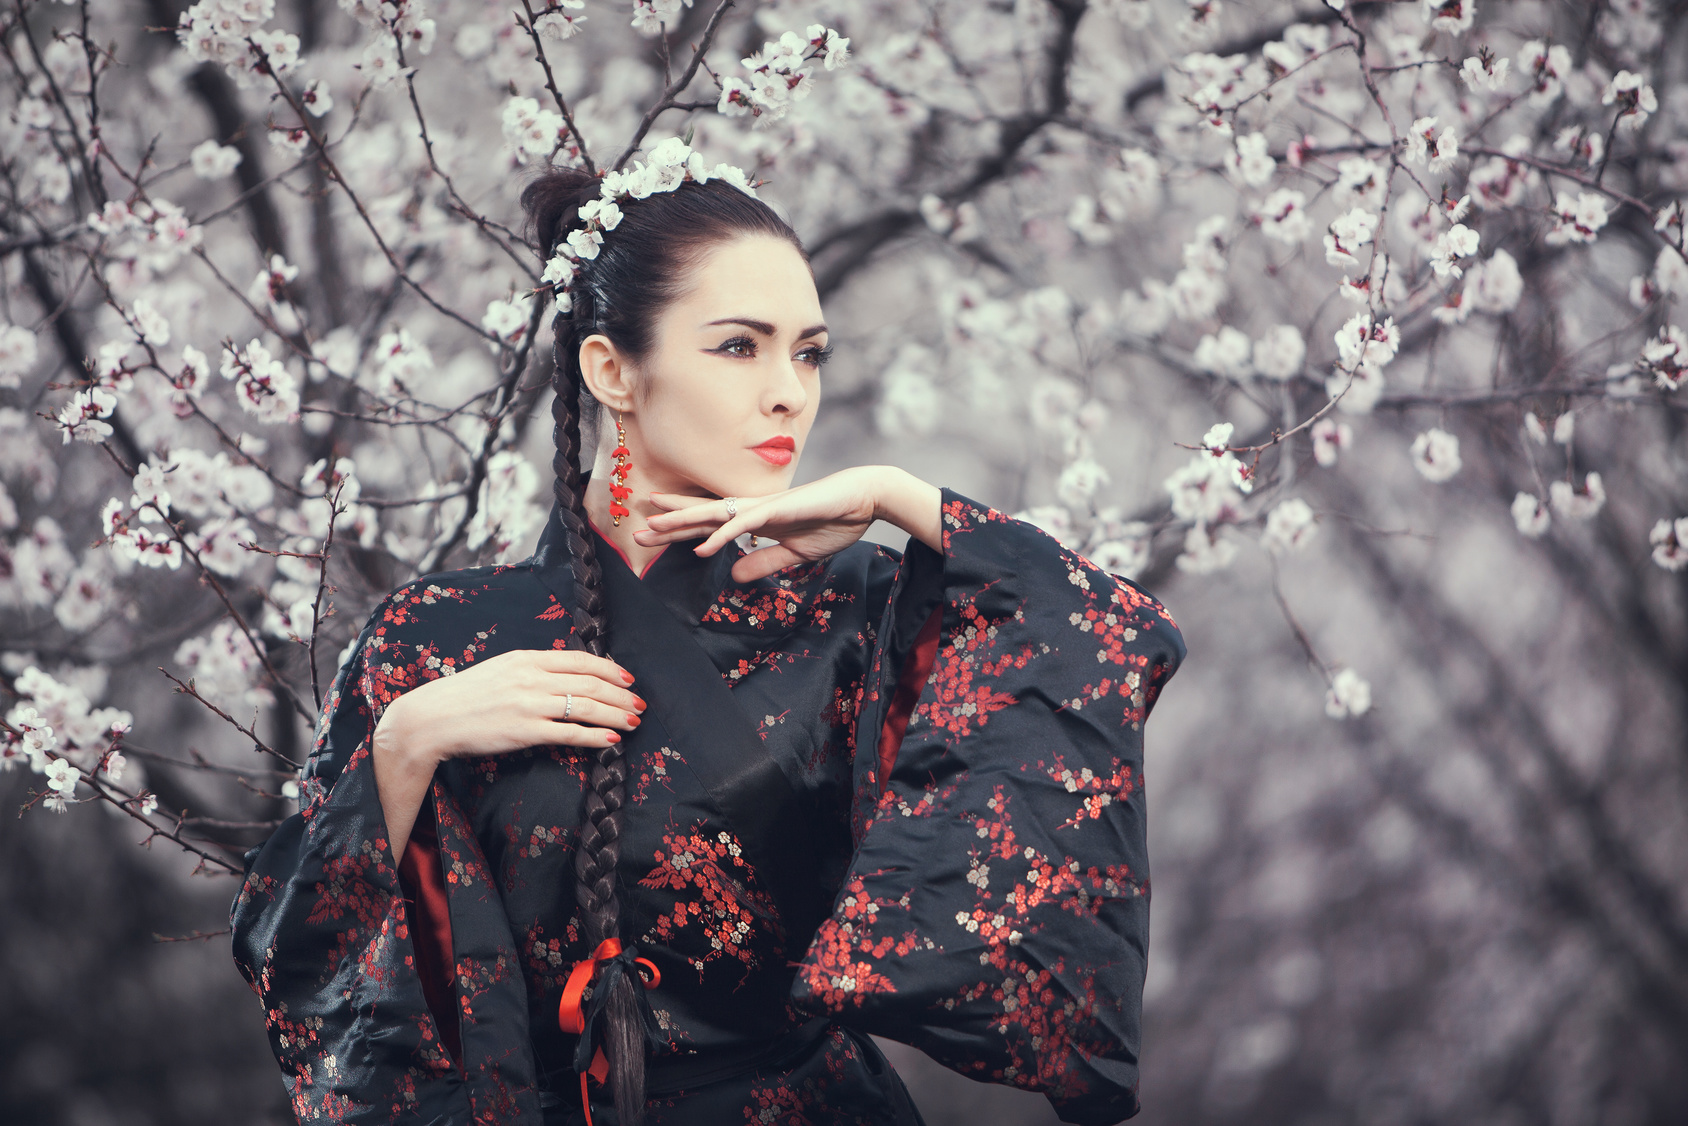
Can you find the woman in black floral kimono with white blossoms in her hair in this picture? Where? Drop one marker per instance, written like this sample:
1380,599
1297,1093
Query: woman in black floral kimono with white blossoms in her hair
654,830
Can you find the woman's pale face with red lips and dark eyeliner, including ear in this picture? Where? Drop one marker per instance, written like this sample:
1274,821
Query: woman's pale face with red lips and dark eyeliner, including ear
735,364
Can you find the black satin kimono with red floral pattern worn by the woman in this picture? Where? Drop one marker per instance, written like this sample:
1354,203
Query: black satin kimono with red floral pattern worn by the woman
877,794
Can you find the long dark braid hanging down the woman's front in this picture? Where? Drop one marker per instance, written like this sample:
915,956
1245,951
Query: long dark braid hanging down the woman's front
598,850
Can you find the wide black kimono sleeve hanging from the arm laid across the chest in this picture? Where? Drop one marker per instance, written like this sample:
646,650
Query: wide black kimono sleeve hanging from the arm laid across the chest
342,950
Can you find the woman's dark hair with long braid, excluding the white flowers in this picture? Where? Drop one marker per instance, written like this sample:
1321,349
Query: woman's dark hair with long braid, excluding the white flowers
644,266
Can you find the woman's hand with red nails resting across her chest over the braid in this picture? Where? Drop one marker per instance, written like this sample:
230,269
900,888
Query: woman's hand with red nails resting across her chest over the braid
514,701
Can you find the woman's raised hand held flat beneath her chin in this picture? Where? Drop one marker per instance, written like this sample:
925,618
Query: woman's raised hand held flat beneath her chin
809,522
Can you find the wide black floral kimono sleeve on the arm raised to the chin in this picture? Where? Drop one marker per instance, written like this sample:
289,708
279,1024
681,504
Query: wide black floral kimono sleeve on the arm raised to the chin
995,914
